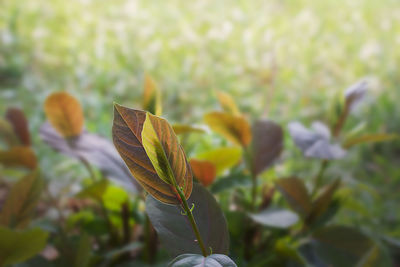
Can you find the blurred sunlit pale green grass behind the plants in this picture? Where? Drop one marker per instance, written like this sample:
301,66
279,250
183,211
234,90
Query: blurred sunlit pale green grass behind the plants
284,60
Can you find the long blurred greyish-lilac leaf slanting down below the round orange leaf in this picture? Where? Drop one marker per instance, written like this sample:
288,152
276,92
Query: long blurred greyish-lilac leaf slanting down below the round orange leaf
97,150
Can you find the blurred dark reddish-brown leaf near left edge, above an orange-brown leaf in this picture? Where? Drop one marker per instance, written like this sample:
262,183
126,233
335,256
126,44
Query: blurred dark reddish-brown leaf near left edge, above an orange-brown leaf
19,123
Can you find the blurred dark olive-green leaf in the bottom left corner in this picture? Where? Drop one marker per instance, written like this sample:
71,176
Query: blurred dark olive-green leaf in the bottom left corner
17,246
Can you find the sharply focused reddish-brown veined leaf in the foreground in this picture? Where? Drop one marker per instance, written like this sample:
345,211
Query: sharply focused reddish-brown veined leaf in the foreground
127,137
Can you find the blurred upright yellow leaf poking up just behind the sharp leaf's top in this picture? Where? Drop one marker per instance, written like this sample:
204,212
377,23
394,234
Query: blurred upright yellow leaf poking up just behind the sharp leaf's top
151,96
